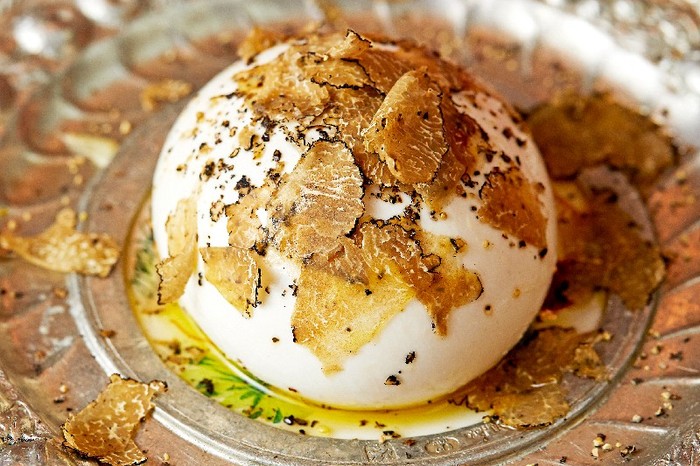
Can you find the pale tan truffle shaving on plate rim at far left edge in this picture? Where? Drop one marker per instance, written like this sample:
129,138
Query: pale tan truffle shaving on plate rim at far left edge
63,249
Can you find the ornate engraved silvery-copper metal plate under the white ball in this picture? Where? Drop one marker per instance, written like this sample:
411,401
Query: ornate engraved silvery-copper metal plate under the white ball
79,67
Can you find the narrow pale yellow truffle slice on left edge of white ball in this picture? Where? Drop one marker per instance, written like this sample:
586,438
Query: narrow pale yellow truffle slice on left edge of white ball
175,271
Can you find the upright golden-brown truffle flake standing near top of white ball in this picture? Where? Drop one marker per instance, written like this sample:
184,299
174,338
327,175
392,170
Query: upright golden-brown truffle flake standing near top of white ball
407,130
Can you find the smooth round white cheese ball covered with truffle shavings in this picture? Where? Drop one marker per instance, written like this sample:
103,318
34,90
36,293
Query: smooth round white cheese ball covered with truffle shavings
426,365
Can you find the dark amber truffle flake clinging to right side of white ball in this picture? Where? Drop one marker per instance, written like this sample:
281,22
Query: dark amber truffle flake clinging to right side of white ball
511,203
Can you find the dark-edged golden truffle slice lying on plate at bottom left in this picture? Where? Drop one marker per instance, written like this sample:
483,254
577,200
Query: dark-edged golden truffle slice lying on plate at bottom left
105,428
